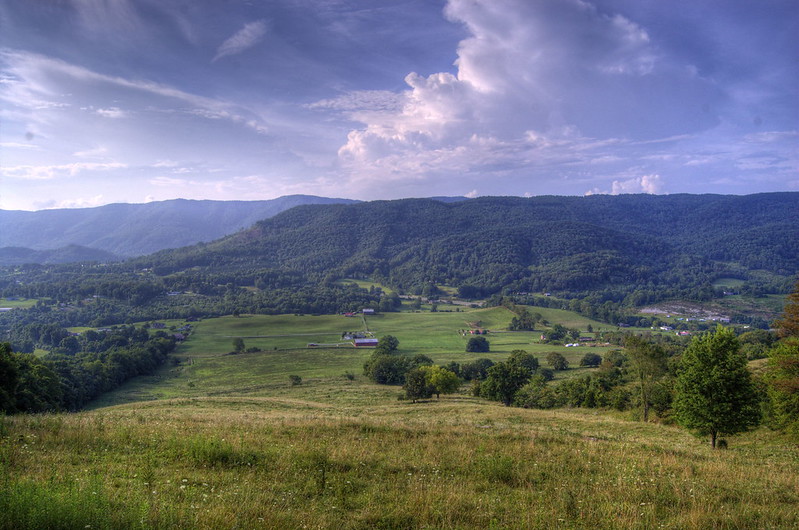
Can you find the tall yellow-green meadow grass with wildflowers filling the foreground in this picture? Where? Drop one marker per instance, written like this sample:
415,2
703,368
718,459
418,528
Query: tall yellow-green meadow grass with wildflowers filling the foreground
456,463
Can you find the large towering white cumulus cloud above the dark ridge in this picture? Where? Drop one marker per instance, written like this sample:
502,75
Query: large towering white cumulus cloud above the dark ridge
546,83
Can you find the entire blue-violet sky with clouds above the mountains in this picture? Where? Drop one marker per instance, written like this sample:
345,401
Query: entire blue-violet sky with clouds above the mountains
107,101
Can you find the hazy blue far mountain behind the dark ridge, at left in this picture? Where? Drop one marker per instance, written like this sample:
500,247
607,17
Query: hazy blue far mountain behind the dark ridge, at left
136,229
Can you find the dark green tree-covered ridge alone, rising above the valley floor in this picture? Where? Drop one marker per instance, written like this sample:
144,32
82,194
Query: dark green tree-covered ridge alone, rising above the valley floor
566,244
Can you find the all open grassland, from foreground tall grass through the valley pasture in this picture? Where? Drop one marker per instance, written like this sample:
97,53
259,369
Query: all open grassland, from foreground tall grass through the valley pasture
224,441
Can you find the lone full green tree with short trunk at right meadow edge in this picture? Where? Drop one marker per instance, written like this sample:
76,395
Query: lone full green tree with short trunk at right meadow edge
714,392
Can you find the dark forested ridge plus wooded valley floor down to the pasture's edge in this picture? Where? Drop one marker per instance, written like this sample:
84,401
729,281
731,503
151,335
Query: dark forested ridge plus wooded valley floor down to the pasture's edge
601,255
